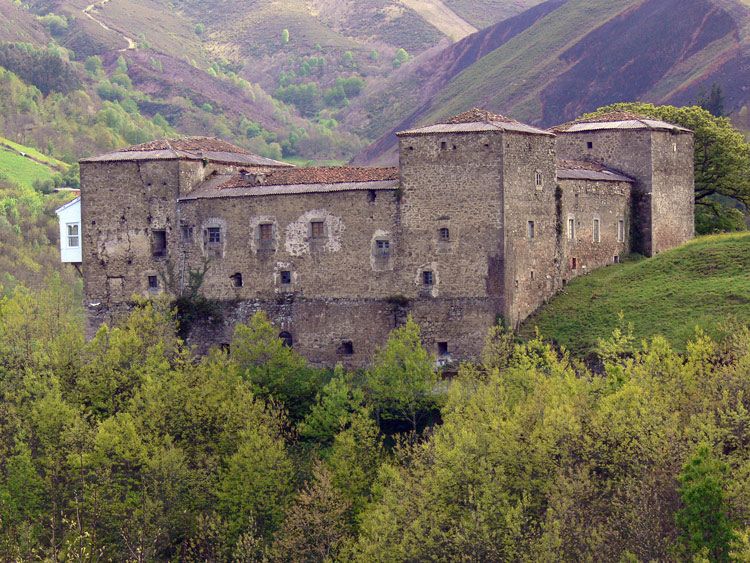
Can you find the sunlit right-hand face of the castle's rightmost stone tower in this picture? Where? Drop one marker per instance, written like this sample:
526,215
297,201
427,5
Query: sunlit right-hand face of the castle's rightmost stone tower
673,189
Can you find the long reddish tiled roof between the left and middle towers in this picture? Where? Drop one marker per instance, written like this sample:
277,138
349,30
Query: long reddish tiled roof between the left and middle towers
318,175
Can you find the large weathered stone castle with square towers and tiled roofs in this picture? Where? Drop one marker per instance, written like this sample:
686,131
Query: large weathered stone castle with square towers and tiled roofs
484,220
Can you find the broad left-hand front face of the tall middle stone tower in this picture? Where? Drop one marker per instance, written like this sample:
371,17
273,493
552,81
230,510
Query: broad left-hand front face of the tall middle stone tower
452,226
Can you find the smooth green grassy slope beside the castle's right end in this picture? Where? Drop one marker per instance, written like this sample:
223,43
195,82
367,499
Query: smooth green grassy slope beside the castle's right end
702,284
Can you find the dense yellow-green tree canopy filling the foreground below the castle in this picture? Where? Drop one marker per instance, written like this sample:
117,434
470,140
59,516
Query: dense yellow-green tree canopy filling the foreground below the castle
127,447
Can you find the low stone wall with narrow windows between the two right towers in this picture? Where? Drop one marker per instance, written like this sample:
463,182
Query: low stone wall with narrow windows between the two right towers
584,201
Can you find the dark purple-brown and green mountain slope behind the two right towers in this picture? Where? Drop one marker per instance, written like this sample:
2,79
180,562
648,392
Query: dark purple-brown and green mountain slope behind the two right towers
565,57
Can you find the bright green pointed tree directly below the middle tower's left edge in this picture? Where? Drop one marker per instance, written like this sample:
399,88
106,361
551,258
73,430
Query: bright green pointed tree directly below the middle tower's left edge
401,384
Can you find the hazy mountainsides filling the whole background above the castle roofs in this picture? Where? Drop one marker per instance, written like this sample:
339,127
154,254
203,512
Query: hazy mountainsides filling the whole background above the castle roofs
324,79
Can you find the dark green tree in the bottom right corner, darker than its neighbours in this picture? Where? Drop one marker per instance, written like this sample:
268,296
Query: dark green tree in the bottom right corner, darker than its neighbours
703,520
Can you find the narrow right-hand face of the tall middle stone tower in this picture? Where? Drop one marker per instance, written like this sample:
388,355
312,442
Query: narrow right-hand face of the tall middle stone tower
532,259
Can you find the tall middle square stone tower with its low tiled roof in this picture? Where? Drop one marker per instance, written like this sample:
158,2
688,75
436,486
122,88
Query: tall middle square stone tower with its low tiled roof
478,217
